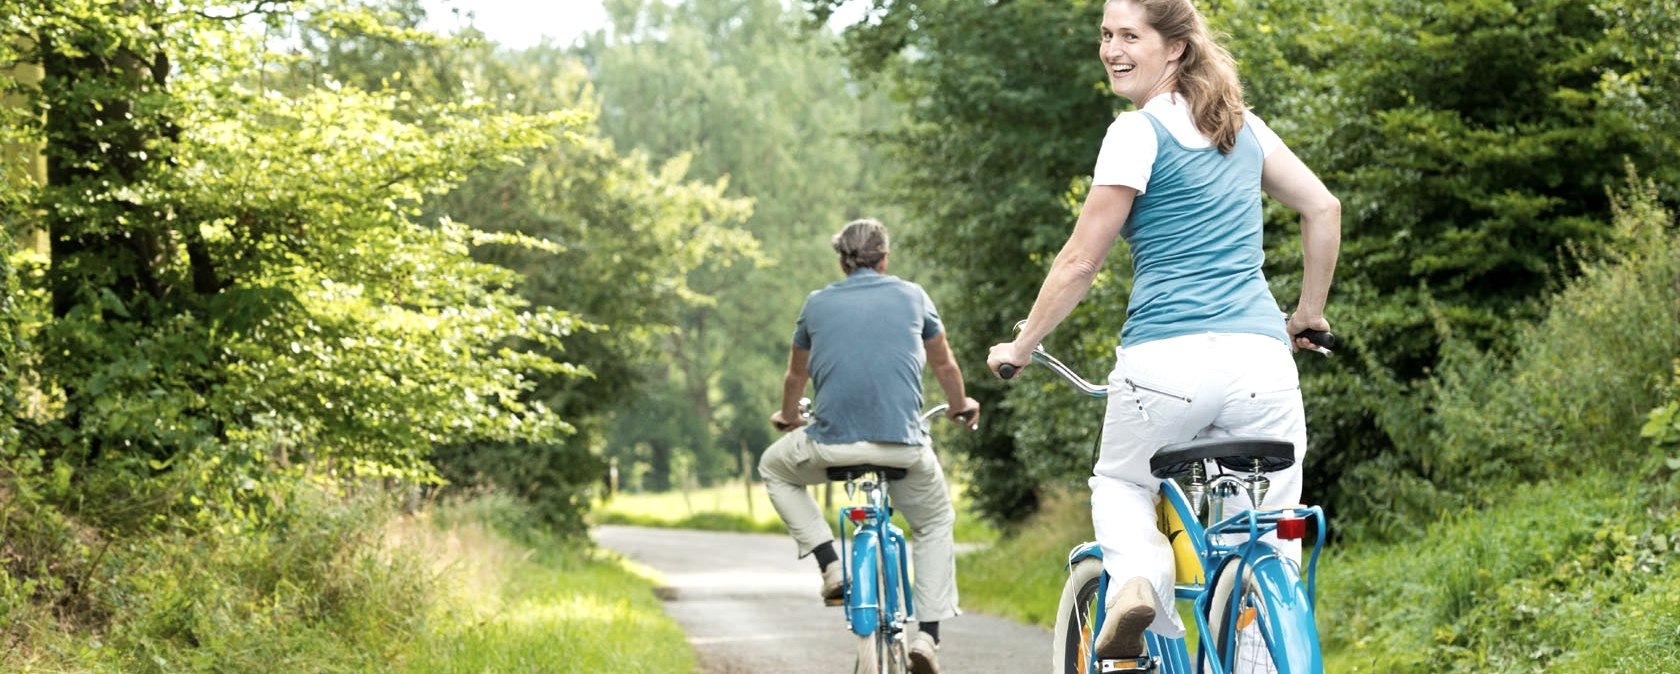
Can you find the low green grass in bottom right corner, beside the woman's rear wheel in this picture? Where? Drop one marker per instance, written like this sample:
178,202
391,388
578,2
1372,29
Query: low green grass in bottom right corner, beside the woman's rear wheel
1560,576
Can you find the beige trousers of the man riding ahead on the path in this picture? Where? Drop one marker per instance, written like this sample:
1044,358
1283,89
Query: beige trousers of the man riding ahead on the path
795,461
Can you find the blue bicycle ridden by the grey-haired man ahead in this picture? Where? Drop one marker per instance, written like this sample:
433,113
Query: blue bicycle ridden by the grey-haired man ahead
878,603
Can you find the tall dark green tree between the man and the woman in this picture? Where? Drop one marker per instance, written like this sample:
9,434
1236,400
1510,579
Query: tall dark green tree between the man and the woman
1005,112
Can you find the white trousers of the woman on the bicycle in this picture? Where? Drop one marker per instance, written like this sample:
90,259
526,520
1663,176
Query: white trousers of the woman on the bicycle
1175,391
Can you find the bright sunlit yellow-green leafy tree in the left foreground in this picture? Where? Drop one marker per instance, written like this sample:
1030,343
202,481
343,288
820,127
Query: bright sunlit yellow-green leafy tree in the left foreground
241,282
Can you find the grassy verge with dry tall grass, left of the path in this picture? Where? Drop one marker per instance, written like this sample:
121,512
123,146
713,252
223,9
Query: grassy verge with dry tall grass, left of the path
340,586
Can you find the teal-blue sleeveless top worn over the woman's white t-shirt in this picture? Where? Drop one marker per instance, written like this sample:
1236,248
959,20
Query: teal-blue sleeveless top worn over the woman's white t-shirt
1197,245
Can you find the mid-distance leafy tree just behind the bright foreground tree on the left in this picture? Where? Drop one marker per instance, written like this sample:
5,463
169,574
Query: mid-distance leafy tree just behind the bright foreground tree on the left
627,234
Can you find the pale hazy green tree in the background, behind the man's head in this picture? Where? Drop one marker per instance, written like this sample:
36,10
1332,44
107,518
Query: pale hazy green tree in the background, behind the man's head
740,90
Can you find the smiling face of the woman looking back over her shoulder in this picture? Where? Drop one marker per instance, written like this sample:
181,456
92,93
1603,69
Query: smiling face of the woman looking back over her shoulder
1140,61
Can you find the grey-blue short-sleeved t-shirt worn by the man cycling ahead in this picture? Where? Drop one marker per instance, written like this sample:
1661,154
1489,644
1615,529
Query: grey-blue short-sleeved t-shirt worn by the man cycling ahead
866,339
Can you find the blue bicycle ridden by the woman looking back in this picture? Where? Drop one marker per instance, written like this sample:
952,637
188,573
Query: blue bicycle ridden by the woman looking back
1257,613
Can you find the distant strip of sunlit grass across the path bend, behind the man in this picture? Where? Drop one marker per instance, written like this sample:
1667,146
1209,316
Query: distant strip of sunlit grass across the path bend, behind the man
728,508
